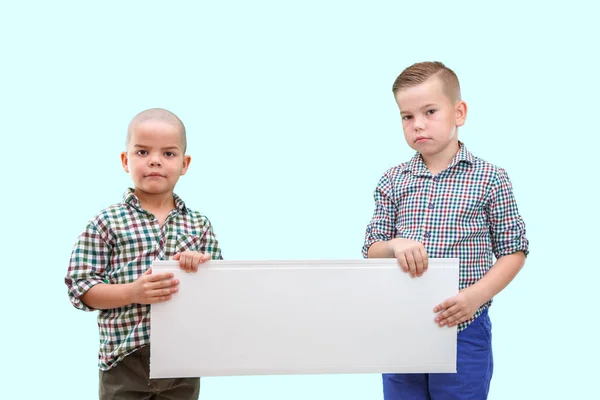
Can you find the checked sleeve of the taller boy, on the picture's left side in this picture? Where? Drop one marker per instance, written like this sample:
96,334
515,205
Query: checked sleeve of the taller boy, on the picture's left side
383,223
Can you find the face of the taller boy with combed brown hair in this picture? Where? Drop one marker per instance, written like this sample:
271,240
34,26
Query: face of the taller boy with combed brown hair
430,117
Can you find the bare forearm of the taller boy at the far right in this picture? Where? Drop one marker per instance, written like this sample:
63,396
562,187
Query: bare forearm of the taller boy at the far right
498,277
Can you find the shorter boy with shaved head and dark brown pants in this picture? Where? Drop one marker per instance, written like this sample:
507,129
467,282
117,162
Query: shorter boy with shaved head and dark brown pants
109,270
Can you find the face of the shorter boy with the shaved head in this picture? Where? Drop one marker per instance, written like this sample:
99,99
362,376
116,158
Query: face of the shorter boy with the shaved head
155,157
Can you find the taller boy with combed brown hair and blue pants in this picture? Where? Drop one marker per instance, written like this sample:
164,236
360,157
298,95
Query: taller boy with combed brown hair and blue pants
445,202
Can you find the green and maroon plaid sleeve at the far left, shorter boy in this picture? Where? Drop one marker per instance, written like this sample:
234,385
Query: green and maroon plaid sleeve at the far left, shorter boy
89,259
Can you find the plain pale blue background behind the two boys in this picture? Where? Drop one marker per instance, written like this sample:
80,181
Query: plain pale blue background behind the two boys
291,122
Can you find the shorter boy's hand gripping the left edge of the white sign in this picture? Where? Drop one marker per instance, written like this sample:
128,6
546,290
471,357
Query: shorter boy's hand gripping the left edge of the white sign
150,289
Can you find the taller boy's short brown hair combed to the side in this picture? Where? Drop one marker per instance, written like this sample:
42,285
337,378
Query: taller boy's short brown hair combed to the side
420,72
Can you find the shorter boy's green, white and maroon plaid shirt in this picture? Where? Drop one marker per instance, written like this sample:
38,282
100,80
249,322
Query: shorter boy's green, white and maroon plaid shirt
118,246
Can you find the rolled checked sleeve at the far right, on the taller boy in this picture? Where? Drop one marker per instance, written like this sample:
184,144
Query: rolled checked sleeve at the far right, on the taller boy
506,225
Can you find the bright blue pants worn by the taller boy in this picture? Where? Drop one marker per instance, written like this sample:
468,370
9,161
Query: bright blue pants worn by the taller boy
474,366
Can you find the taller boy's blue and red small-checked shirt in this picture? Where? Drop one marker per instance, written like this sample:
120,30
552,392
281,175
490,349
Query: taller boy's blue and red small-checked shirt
467,211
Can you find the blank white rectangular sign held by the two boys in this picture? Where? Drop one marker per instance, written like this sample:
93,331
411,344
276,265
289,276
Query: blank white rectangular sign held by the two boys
302,317
